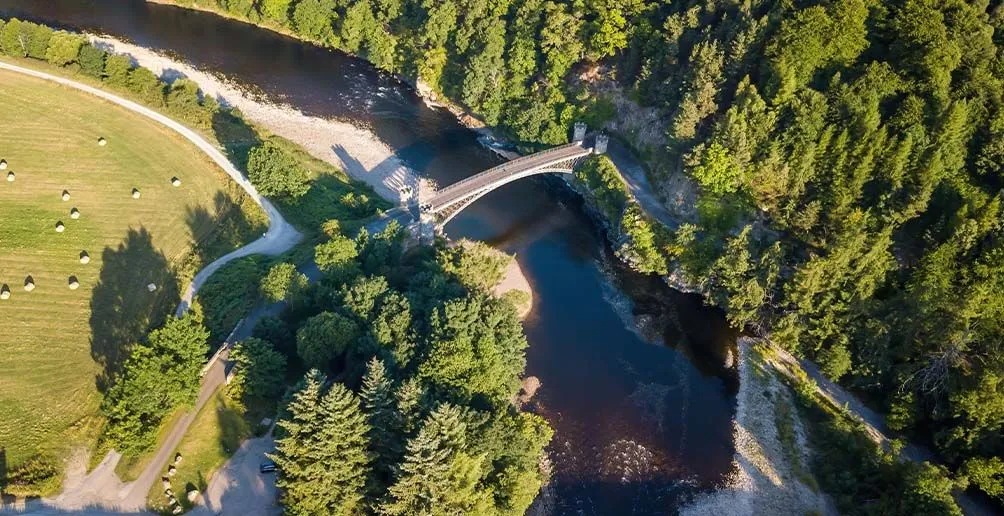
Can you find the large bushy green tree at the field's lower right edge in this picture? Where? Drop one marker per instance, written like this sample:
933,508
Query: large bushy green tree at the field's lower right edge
160,376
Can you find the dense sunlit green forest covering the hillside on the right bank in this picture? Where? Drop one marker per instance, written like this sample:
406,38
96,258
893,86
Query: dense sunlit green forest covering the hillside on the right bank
848,154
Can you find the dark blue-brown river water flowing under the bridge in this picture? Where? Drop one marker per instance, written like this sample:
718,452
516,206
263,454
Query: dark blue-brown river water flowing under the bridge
642,424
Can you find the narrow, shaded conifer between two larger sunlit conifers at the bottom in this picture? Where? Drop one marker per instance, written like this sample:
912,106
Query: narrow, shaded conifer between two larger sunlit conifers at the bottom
379,400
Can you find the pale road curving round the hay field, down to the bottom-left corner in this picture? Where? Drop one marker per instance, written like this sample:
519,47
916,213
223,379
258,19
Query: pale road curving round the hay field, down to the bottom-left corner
102,488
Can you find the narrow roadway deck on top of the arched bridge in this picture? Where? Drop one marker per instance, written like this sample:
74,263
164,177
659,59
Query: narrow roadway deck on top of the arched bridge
469,186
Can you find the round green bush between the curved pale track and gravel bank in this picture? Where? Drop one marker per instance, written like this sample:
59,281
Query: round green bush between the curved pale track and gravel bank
276,173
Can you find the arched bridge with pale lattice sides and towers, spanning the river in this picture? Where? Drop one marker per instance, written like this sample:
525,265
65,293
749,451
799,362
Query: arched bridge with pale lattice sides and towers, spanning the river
446,203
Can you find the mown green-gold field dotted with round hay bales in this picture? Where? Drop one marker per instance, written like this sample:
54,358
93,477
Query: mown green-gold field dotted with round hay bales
58,346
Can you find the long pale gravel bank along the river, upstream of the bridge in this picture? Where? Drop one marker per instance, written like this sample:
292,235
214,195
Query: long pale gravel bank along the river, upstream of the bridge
354,150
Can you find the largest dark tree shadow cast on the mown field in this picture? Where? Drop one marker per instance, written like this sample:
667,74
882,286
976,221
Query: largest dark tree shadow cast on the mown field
123,309
